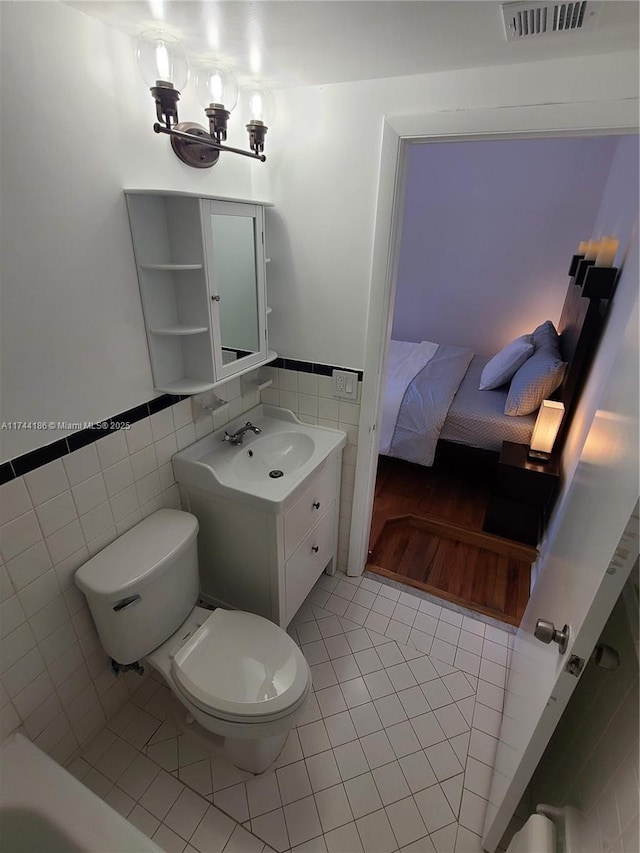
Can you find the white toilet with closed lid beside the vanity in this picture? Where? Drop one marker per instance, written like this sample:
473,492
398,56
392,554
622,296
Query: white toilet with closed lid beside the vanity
238,675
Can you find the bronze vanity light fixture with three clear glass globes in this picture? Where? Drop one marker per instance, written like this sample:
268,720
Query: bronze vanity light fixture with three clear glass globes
165,68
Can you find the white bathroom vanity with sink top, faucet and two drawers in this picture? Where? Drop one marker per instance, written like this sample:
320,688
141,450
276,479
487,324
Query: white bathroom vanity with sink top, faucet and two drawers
263,541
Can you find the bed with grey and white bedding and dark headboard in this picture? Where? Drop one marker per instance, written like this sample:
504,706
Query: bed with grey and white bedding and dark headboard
432,392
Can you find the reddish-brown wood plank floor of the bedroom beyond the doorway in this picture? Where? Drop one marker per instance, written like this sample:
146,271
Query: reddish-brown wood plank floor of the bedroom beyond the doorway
427,532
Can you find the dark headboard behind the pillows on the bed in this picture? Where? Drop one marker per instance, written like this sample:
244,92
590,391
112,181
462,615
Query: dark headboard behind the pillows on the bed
580,328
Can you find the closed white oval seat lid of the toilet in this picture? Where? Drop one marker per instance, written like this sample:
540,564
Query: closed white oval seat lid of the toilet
240,667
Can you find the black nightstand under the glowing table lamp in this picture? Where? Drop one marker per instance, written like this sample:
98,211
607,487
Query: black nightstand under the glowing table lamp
522,496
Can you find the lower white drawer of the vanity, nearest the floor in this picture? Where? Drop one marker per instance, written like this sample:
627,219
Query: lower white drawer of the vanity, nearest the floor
309,561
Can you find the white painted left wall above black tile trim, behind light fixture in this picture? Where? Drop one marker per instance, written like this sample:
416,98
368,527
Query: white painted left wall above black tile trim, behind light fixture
73,343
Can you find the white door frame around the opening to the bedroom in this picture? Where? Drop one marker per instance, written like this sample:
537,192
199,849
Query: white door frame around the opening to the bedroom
595,118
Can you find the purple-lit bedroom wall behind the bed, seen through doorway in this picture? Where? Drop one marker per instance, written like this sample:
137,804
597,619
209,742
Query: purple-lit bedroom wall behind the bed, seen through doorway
488,231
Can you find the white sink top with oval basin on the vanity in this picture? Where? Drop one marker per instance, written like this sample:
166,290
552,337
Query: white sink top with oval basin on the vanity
267,470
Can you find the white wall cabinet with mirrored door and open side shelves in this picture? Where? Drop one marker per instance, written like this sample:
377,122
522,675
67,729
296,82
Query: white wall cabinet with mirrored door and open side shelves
201,270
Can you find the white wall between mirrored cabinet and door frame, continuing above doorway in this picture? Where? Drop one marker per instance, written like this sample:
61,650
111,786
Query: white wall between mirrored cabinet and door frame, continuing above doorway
324,183
